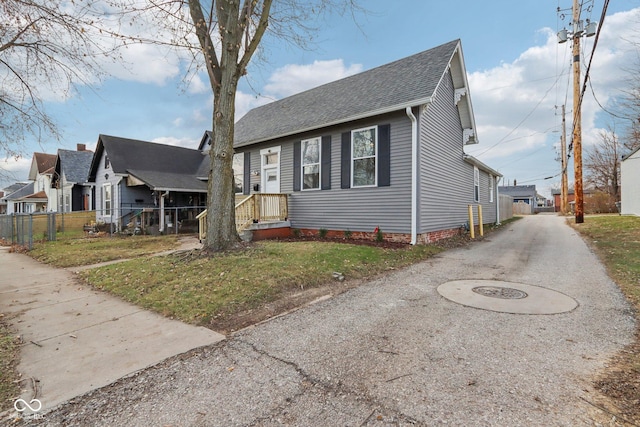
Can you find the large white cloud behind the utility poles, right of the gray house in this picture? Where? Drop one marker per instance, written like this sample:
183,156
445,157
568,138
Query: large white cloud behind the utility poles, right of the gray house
515,103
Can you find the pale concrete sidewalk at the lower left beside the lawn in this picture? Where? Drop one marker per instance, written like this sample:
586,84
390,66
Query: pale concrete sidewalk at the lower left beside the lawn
77,339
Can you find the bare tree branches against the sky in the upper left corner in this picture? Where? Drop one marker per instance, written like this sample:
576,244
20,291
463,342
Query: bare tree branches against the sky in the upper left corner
46,48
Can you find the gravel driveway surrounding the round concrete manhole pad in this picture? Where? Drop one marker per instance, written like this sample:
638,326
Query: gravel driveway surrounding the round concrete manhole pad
395,352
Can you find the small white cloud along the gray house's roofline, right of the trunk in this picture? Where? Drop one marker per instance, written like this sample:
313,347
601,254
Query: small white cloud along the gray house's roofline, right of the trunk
295,78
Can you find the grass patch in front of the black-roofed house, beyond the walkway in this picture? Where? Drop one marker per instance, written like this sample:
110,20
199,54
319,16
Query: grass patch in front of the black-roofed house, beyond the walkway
69,251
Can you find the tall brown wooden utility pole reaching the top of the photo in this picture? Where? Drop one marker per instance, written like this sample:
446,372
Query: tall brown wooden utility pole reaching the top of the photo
577,116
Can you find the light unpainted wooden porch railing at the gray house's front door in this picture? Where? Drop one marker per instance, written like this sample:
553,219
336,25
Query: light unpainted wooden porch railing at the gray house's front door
261,207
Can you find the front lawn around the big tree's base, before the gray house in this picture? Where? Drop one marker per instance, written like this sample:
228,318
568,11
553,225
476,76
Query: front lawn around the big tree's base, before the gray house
200,289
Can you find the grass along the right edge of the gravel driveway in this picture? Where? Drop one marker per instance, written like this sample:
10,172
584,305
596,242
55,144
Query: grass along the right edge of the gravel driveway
616,240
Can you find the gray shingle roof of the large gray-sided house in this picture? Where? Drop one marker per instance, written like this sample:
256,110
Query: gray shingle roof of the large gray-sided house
406,82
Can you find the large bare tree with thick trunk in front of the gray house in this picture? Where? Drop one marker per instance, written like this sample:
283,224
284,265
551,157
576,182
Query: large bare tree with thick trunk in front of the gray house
227,36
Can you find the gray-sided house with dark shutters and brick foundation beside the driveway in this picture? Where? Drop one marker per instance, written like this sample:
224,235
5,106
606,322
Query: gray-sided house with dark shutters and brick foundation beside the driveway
380,149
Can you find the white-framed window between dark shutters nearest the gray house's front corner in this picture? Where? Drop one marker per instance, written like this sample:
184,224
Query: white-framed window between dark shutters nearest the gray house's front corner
364,149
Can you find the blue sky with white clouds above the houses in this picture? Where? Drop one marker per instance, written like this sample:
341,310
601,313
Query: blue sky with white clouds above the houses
519,76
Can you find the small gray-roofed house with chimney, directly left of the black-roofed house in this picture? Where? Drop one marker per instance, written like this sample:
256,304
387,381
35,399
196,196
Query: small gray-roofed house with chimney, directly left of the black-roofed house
71,180
